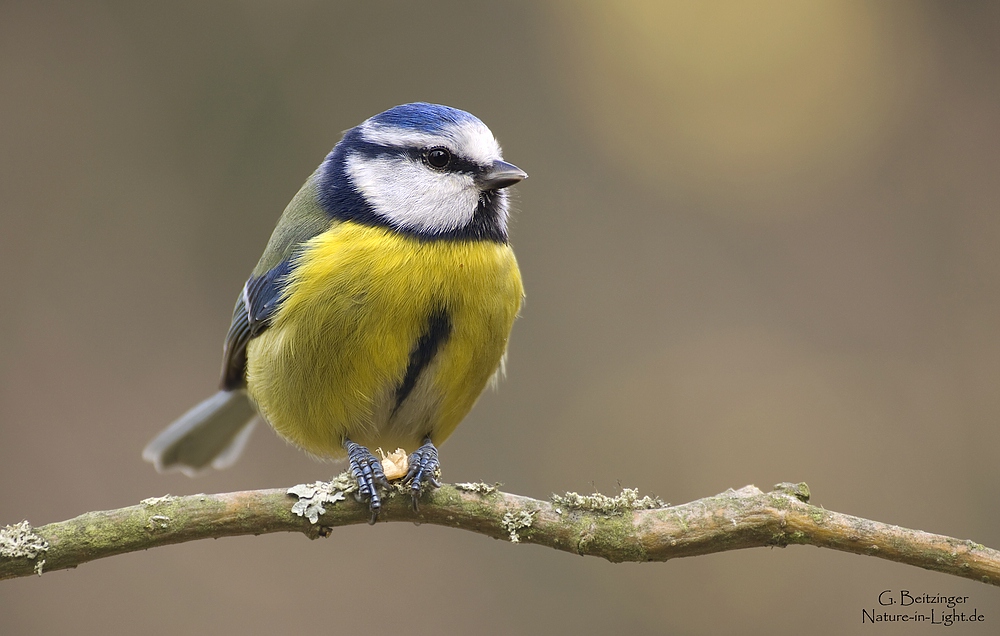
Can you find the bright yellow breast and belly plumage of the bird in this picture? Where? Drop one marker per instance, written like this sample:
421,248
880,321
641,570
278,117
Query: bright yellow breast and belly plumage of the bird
355,308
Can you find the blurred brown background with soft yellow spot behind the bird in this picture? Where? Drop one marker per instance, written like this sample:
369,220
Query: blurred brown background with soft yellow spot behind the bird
760,243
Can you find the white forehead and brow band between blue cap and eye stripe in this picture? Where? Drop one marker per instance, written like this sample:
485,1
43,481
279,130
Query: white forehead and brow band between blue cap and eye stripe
470,139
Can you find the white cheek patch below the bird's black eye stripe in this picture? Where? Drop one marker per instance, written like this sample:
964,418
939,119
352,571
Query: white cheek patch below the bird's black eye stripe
411,196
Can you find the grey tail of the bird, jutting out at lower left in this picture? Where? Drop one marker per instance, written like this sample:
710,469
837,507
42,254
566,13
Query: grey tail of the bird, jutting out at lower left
213,433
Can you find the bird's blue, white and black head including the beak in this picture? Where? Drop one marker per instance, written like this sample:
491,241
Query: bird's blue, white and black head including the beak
424,169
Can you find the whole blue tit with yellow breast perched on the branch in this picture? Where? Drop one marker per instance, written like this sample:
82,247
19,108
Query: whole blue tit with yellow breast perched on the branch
380,309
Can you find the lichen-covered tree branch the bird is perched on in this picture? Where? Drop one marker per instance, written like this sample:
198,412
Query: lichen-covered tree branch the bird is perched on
622,528
